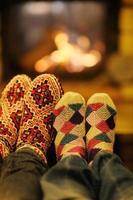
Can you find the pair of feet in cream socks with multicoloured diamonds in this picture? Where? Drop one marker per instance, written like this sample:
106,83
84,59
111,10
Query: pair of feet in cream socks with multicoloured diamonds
84,128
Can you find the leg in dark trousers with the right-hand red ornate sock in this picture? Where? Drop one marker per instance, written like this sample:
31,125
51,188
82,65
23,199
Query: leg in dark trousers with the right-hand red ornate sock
21,170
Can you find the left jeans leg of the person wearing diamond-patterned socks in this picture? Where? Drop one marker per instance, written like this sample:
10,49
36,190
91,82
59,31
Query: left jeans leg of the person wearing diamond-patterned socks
70,179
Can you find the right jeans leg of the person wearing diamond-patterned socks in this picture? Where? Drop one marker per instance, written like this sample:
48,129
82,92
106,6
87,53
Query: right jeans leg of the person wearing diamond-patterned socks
111,180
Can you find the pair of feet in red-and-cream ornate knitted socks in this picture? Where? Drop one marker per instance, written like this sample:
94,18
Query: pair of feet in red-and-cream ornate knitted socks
26,108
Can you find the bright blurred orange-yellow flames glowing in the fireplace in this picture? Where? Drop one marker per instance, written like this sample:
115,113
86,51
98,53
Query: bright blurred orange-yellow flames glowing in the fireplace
74,56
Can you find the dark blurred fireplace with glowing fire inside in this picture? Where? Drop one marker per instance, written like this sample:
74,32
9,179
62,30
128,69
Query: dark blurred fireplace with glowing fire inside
68,38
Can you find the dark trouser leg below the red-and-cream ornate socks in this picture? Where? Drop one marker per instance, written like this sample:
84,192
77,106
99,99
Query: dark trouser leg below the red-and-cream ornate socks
20,177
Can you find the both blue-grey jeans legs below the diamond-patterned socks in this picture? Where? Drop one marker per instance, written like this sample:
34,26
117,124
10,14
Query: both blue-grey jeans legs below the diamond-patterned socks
71,178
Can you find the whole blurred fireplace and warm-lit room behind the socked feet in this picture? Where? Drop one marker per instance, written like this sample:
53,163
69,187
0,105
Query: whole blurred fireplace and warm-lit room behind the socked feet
87,44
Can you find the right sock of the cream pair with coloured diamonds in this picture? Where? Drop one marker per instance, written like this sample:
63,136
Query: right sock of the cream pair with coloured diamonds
100,124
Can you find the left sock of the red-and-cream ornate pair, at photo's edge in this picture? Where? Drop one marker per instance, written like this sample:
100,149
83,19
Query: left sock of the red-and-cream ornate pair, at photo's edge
11,111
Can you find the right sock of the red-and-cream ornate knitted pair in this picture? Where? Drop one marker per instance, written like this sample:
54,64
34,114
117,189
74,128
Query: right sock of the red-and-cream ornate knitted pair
36,124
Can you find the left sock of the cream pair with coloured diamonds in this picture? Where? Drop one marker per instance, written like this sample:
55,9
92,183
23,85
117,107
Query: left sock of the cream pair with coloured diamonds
69,123
